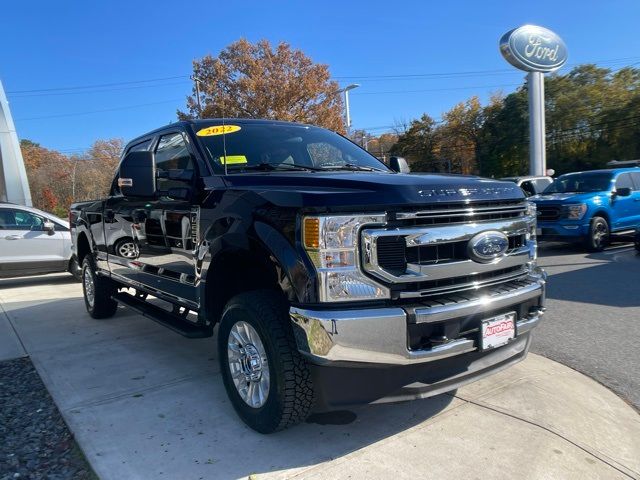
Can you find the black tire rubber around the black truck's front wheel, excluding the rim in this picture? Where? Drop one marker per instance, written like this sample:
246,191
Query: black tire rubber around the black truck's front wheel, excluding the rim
291,395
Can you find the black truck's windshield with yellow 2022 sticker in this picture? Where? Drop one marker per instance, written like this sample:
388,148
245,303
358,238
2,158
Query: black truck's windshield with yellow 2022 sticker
283,147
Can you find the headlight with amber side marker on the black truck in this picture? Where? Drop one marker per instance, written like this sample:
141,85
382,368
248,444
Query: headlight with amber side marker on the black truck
332,245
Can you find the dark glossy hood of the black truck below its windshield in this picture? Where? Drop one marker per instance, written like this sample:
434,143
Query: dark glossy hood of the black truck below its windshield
368,189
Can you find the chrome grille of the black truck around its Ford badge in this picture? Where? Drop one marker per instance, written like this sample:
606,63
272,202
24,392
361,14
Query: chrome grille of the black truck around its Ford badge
435,257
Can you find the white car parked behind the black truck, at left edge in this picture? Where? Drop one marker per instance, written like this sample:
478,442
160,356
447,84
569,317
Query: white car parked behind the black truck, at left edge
33,242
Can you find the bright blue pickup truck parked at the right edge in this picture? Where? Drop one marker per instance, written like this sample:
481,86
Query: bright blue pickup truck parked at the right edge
589,206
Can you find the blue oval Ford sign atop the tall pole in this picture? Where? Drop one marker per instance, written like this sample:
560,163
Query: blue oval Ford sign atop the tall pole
533,49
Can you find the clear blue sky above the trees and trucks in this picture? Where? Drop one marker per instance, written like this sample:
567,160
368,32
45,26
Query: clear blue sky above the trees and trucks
48,45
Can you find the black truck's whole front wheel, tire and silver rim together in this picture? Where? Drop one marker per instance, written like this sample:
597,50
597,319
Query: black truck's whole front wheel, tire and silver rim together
266,378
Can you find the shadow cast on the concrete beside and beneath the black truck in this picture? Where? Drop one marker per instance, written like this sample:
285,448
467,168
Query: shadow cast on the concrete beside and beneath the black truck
144,402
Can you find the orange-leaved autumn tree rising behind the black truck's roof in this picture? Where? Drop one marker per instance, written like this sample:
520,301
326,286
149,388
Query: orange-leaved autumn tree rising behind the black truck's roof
258,81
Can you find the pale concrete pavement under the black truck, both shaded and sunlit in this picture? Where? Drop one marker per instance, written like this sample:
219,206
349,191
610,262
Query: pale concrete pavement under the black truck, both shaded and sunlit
145,403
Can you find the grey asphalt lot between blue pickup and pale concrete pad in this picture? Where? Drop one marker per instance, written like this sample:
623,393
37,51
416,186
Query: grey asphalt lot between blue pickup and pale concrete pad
593,316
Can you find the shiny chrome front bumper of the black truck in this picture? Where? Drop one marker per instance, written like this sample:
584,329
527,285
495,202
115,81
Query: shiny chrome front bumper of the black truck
379,336
